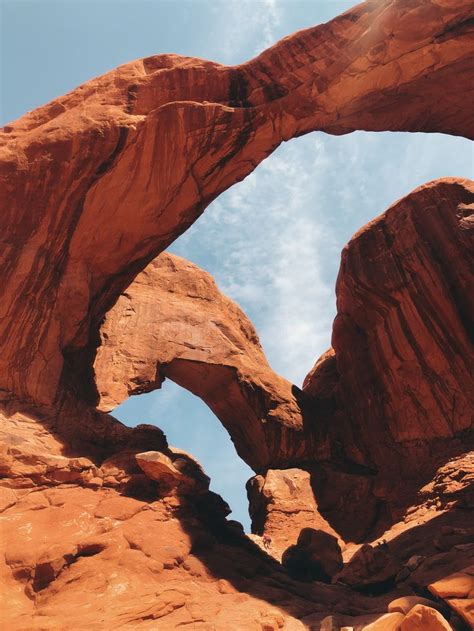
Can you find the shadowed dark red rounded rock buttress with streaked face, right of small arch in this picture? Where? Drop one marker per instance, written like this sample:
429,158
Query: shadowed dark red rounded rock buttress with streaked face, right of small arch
396,394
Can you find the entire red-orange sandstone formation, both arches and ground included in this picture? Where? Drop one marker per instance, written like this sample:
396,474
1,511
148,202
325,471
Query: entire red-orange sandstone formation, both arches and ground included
113,526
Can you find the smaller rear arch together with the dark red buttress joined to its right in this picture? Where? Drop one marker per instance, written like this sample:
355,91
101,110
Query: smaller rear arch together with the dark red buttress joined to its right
373,413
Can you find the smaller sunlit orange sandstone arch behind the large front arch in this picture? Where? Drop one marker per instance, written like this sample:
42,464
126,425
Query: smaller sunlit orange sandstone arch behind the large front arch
173,322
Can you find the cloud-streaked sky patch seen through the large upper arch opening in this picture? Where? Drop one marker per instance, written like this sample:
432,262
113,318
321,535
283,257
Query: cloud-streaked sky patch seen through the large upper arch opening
273,241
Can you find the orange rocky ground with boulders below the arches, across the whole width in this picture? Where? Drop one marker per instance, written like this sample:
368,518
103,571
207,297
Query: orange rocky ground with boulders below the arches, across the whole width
139,541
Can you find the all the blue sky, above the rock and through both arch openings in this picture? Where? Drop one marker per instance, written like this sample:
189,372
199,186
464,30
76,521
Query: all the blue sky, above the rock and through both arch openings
273,241
